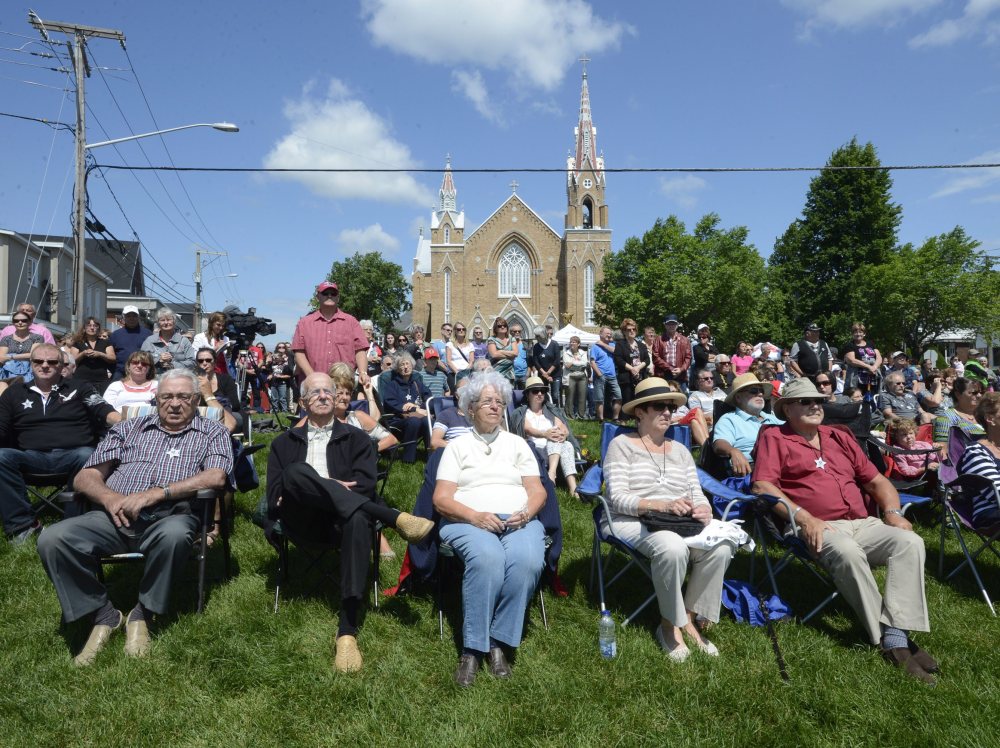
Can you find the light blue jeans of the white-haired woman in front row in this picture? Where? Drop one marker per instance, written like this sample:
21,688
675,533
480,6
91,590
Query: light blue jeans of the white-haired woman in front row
501,573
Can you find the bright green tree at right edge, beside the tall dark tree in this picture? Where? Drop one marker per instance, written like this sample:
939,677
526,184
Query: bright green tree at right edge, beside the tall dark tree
947,283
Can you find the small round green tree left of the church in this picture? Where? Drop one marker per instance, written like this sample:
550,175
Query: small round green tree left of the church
371,288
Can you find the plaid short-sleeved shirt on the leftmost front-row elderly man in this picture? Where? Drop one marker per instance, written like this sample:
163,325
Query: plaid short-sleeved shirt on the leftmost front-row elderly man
146,455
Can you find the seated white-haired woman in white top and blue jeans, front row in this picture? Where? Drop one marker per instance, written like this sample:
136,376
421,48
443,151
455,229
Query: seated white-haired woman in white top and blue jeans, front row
489,493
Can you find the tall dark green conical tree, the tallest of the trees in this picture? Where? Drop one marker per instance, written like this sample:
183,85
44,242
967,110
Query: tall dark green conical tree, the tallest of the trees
849,223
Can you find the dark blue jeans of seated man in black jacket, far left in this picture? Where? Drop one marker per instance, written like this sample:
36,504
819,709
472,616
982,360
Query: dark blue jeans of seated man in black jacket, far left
14,504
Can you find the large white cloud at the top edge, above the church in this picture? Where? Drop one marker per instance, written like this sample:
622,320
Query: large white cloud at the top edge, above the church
535,41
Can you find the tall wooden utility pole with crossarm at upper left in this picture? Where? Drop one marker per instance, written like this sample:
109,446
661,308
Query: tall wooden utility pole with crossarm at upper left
77,44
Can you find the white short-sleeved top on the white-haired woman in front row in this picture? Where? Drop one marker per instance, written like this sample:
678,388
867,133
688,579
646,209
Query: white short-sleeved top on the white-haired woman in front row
489,482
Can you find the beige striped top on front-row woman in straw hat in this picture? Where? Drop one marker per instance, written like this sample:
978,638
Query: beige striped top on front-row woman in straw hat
631,474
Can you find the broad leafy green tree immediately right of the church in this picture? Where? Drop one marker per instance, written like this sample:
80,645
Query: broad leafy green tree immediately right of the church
711,275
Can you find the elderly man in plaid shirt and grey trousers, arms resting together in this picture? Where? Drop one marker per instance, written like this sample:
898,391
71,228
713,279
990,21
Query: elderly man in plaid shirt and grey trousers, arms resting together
140,478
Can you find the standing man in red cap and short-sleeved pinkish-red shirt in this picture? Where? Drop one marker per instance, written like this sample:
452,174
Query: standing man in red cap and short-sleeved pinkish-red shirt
328,335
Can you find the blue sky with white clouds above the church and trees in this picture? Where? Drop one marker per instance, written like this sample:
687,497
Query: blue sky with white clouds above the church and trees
404,83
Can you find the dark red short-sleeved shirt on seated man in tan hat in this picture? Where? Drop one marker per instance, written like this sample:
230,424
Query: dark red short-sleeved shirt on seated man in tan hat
827,481
